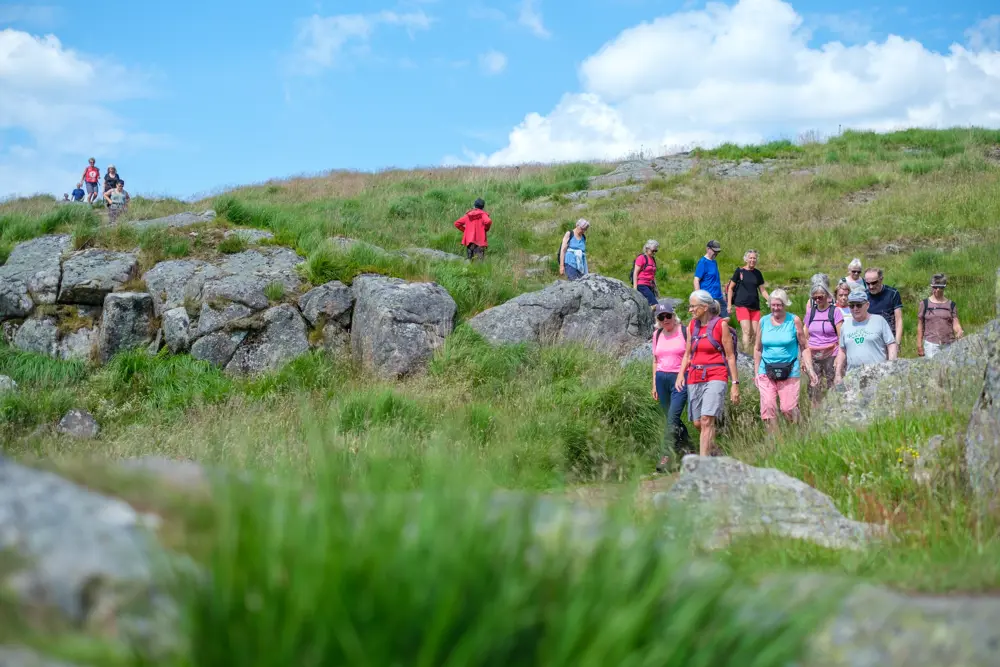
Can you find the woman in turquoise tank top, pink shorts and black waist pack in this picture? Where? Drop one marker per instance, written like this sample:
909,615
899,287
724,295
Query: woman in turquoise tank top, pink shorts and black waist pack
781,343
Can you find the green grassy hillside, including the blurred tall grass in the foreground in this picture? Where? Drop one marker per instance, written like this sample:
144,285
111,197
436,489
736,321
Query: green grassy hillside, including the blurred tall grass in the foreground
561,419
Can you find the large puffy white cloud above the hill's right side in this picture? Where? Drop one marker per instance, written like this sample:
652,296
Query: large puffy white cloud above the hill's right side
747,73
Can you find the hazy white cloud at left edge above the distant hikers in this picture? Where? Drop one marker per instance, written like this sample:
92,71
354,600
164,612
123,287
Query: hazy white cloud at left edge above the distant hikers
61,101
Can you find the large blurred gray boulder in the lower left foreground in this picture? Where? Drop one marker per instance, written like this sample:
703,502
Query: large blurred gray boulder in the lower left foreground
84,556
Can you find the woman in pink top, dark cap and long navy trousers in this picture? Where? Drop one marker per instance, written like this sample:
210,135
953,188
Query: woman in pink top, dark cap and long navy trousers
669,345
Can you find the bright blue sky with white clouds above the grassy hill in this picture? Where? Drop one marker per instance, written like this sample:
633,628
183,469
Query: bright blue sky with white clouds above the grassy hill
189,97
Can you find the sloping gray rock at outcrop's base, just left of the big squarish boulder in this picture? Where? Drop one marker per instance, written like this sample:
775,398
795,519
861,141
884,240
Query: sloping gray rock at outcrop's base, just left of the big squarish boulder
282,338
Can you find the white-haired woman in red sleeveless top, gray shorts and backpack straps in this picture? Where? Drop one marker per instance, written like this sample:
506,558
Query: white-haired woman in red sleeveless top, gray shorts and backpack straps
709,362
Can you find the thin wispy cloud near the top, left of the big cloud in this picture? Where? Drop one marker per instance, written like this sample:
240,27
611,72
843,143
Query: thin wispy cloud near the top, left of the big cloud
320,40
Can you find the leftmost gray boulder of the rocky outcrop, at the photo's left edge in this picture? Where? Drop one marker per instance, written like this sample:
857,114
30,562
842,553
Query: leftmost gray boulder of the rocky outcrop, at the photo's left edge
31,274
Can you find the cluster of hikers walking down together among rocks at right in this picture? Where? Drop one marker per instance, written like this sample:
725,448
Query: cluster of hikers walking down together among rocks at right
857,323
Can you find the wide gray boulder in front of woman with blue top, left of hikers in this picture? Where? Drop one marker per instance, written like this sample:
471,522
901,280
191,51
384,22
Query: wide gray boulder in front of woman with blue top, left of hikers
603,313
